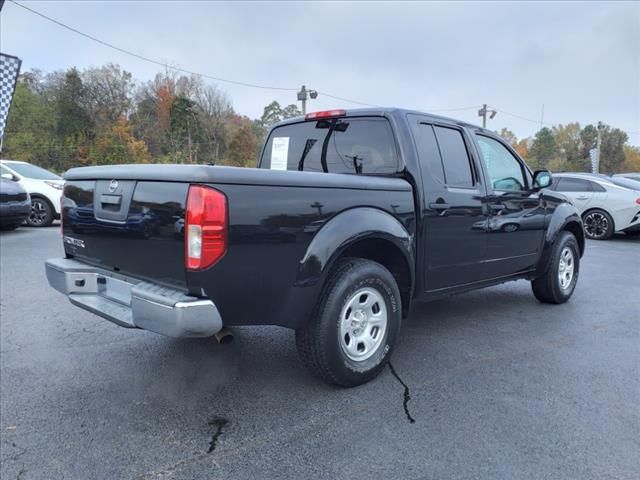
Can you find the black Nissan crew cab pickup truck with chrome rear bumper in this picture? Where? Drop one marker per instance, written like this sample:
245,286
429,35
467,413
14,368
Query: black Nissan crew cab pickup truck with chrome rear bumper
349,217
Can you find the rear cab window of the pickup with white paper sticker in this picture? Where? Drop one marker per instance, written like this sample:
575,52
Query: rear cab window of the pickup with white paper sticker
337,145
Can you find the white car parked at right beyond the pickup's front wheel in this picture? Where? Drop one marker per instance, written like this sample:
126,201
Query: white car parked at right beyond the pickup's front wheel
605,207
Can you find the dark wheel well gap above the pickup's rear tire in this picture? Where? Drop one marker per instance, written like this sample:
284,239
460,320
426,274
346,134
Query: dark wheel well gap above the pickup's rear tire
389,255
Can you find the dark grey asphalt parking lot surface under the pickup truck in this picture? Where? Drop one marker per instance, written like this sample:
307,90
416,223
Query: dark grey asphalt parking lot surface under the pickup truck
501,387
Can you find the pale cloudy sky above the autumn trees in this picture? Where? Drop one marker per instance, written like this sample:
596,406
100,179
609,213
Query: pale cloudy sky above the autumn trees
580,60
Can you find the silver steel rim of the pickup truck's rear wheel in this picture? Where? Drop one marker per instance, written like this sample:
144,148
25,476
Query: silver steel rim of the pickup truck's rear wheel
363,324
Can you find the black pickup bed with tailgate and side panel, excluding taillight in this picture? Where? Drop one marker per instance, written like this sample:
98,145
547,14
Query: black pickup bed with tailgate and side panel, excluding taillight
273,216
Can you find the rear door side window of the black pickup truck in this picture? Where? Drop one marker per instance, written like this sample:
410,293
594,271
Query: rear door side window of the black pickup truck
455,158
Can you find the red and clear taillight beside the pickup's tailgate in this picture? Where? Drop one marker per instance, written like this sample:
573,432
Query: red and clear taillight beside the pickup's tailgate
205,227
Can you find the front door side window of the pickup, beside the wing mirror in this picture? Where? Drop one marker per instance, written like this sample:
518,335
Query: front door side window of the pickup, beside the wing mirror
505,171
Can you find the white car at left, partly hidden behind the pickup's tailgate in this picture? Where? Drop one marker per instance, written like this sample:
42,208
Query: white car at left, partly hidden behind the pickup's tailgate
44,187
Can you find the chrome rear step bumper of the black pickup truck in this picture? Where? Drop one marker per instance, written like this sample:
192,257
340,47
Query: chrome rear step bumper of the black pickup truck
132,303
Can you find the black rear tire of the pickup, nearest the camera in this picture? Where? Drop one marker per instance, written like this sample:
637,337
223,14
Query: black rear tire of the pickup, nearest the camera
320,343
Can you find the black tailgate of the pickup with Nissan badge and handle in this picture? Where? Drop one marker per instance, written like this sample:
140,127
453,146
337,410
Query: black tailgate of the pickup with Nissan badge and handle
128,226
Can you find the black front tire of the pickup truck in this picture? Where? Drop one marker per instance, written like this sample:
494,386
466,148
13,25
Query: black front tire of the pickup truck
547,288
